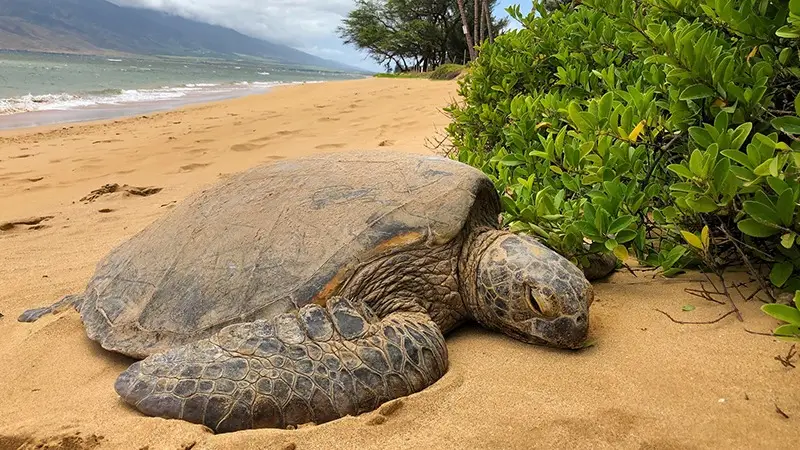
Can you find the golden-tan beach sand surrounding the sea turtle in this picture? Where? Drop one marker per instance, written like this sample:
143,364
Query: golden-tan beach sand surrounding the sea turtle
647,383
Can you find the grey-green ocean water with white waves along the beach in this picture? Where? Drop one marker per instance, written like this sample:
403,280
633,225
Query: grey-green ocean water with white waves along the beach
39,89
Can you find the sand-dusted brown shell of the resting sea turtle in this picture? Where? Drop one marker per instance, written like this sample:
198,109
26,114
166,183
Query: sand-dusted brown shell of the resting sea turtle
274,238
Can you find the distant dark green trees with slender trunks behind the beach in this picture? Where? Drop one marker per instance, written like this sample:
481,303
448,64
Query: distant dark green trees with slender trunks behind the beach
420,35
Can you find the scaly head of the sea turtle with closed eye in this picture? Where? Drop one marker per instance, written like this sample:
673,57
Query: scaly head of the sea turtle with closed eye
529,292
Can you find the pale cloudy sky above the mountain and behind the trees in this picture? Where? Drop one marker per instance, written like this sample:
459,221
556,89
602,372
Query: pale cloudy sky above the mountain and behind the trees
307,25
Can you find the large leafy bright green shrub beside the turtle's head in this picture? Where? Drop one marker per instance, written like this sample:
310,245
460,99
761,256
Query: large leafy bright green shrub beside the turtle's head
666,130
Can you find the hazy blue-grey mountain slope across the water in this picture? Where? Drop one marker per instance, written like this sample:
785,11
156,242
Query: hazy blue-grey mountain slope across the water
101,27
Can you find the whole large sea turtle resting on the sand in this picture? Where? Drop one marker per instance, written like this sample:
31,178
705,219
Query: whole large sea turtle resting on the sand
318,287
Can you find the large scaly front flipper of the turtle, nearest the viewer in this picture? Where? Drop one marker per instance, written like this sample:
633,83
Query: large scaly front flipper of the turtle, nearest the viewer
316,365
